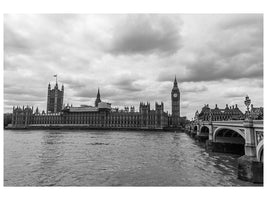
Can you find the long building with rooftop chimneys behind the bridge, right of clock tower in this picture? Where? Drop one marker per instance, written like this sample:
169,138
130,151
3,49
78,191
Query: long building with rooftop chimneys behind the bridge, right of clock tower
217,114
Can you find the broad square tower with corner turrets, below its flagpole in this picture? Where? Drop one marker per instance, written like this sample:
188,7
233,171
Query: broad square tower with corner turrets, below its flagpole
55,99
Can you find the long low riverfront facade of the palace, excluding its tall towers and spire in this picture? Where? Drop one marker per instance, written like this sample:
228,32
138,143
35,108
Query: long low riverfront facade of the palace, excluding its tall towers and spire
93,117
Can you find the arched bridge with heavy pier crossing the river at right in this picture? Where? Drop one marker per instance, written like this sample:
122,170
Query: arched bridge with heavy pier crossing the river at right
244,137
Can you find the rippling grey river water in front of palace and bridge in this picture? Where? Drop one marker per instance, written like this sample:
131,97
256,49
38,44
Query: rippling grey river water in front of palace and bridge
113,158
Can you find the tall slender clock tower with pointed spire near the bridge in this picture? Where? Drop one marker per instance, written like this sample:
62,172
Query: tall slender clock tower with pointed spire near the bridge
175,96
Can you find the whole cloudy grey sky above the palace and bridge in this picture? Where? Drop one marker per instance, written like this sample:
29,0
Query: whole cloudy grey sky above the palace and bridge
217,59
